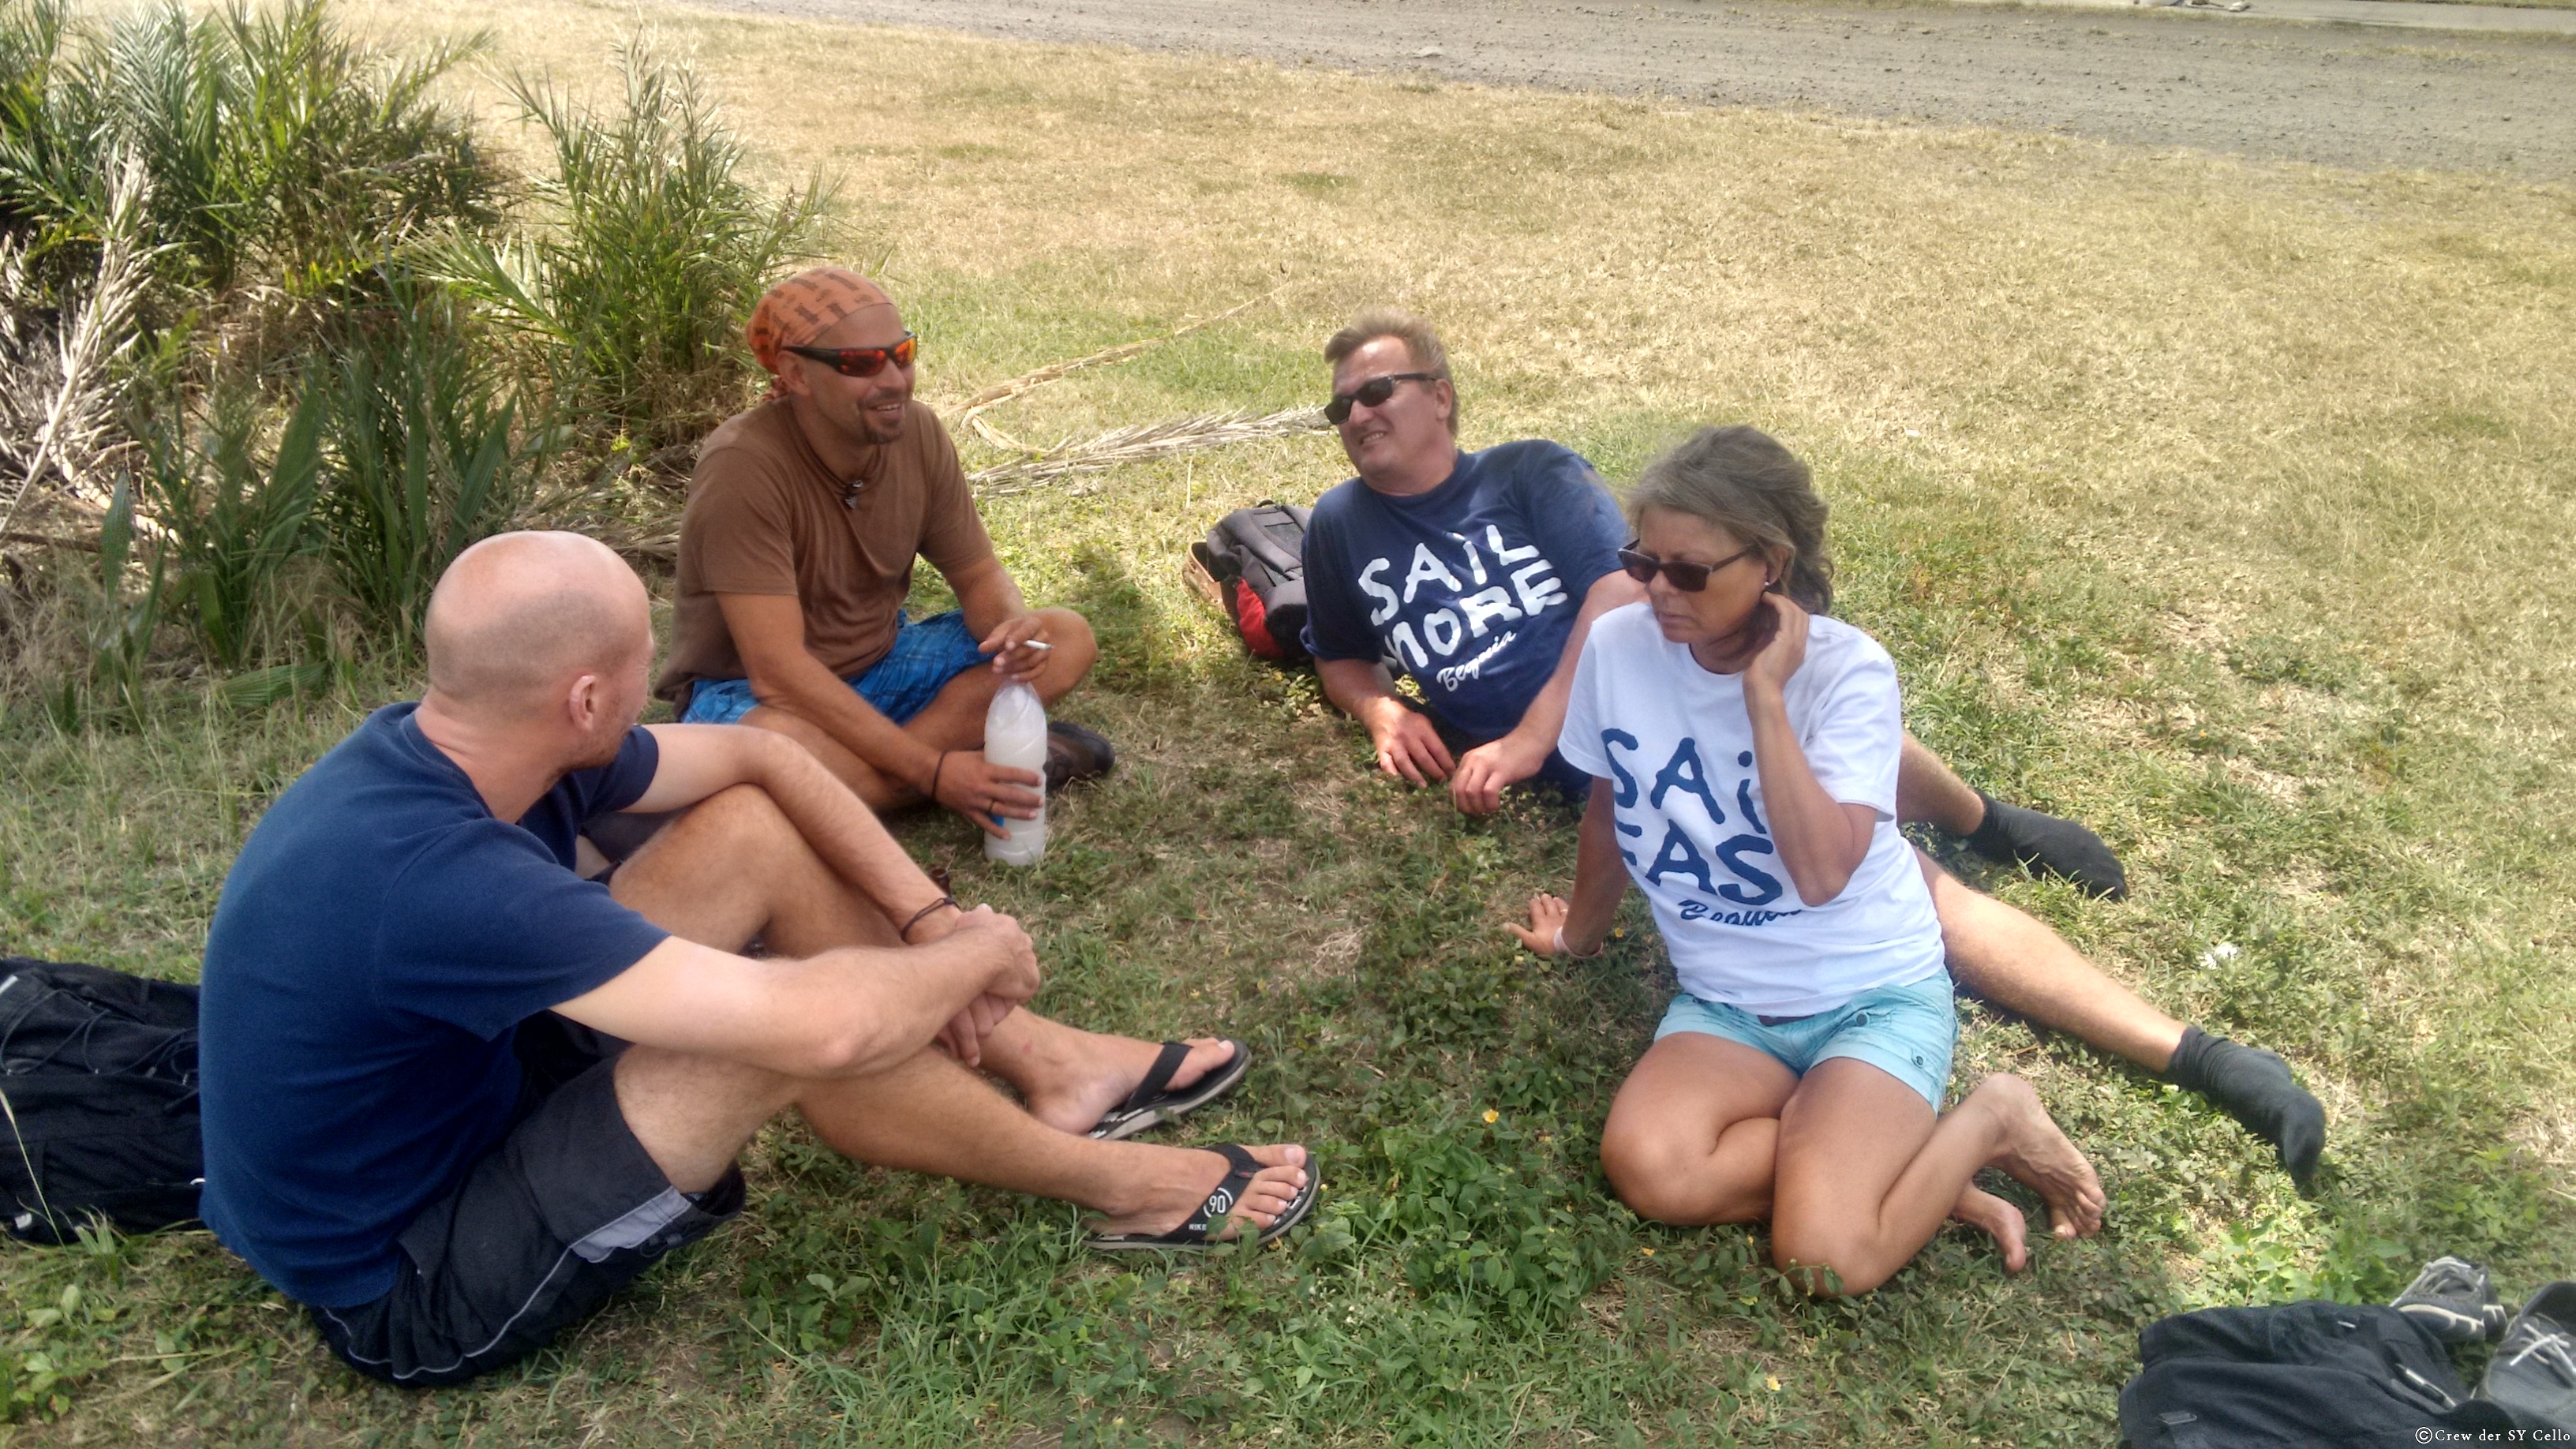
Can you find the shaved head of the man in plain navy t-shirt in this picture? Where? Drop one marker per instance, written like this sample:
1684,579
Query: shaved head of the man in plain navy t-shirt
519,618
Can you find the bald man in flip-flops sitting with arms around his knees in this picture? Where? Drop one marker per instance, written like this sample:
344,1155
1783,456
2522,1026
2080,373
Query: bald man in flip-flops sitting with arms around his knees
455,1094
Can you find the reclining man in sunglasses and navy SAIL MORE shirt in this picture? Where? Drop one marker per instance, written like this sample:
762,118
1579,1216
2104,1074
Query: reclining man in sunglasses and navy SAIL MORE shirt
1480,576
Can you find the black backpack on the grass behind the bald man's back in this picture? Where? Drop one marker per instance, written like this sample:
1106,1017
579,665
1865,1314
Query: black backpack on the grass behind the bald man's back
99,1074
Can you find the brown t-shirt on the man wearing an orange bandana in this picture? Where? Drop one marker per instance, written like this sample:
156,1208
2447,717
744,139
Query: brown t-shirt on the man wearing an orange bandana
766,517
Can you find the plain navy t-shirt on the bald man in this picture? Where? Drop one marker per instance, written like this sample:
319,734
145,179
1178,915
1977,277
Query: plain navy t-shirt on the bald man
380,940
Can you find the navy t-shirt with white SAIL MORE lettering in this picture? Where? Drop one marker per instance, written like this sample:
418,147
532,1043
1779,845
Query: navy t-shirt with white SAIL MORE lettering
1472,587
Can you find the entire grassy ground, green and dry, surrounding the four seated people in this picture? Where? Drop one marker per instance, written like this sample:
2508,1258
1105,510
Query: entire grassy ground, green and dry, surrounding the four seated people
2250,563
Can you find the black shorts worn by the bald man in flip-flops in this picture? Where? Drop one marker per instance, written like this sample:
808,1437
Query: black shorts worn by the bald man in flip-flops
537,1234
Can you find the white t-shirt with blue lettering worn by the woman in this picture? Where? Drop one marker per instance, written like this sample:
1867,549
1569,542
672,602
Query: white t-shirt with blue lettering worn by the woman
1676,749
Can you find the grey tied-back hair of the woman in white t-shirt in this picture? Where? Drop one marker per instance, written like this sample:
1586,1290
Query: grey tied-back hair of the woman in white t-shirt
1743,481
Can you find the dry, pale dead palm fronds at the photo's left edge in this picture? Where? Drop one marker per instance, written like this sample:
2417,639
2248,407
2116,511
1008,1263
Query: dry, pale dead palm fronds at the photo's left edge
58,388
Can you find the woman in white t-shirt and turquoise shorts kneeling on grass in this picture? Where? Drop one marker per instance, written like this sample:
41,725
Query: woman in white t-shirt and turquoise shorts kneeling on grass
1745,772
